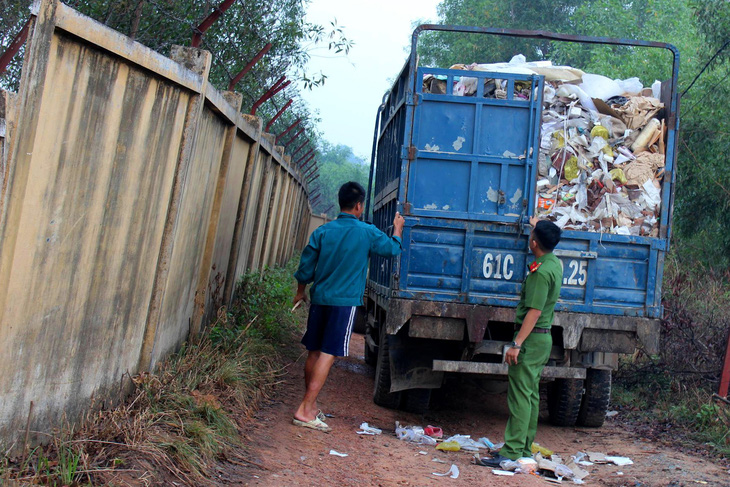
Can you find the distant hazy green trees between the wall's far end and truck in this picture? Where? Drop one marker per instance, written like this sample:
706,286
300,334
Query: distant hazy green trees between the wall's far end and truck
337,165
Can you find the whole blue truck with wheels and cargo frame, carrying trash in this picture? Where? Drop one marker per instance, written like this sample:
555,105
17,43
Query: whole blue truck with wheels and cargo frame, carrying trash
463,171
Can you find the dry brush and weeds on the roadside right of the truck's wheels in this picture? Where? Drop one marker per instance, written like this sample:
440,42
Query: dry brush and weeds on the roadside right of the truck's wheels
672,393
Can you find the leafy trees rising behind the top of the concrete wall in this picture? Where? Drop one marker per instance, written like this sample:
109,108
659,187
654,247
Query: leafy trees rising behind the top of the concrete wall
233,40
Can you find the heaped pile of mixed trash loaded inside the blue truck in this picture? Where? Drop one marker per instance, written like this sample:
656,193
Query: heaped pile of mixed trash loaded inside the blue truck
602,149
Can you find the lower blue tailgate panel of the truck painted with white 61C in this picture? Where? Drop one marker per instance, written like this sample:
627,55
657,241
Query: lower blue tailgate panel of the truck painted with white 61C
482,263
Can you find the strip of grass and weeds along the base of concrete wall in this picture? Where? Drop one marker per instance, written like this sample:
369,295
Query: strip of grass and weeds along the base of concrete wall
184,416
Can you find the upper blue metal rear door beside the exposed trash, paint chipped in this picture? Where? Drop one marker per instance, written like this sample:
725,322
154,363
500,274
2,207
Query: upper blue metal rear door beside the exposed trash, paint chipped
473,155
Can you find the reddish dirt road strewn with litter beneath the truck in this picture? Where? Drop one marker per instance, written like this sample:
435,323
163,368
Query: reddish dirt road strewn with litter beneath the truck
281,454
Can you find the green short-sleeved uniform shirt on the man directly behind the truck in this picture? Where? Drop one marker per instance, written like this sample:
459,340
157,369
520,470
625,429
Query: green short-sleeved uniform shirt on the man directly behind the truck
541,290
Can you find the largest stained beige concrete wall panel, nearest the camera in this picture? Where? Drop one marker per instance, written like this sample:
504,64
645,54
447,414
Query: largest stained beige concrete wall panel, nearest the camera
99,175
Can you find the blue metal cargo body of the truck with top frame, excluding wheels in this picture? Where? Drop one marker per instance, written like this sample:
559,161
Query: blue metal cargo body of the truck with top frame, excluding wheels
462,170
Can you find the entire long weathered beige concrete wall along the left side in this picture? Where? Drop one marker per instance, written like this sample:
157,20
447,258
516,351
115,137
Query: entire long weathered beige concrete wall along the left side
129,186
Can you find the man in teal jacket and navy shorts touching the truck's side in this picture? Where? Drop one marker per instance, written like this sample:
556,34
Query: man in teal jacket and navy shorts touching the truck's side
335,261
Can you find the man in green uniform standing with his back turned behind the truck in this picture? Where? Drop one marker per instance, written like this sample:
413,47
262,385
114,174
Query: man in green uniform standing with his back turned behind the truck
530,350
